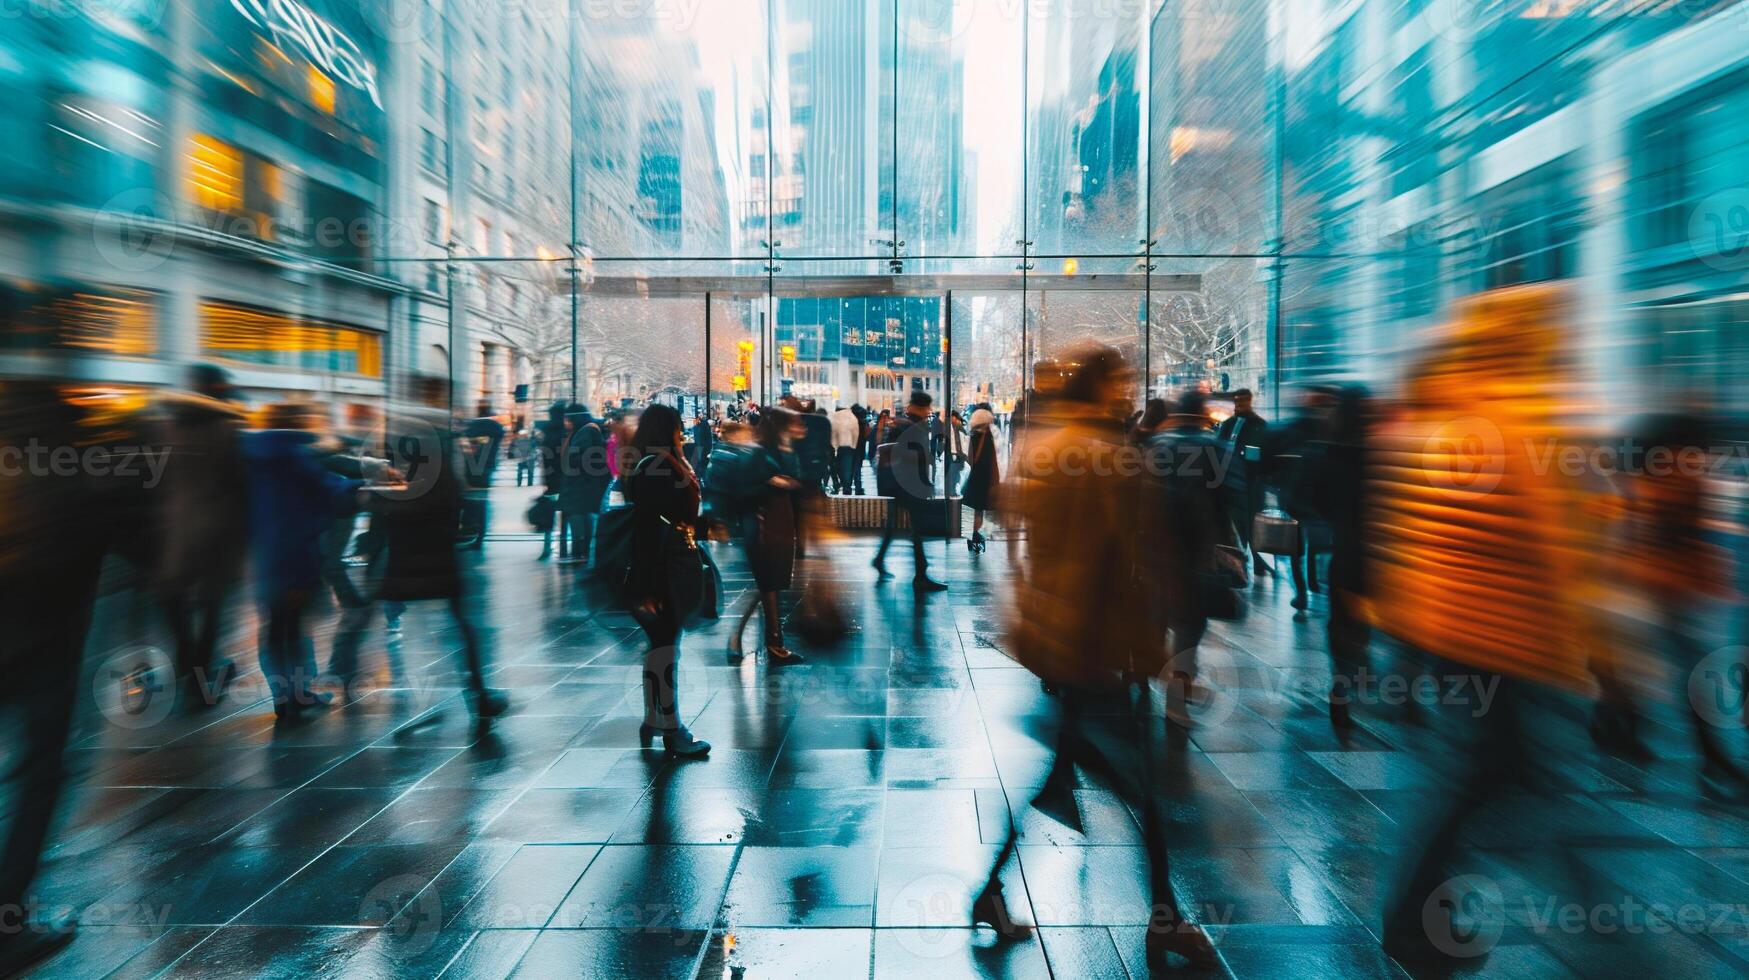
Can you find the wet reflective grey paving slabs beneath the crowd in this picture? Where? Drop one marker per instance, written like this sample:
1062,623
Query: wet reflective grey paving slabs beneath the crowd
846,818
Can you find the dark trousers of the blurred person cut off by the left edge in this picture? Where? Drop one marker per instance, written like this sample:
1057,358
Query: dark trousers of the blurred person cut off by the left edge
48,615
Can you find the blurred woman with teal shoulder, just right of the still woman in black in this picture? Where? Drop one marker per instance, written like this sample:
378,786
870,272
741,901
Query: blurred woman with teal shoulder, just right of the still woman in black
767,486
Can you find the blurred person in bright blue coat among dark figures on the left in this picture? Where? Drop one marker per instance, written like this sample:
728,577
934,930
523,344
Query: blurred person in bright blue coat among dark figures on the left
293,501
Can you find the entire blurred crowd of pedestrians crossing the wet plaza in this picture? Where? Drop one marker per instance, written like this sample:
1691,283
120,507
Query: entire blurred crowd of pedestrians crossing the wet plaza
1127,535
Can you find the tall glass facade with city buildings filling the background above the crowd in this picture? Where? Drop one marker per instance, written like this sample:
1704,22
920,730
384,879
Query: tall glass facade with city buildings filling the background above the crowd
611,200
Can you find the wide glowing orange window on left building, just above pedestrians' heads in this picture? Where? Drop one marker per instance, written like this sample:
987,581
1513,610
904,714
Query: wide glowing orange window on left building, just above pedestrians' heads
275,340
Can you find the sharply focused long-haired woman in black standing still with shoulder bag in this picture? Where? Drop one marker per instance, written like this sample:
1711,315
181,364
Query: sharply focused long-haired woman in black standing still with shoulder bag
665,582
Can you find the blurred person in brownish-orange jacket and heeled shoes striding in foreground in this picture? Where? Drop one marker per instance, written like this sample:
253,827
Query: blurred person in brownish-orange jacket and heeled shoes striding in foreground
1085,563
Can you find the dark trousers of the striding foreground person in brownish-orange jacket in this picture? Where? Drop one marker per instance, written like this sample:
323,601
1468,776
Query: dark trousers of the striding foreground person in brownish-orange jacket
1110,738
